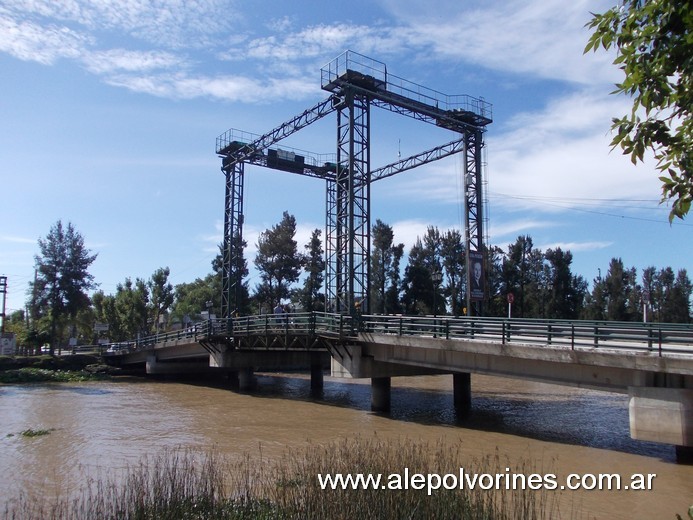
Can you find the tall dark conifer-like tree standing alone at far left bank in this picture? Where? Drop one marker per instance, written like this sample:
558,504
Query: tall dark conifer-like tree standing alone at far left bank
62,279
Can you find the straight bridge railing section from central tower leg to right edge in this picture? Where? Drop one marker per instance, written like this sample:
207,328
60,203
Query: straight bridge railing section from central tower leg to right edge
660,337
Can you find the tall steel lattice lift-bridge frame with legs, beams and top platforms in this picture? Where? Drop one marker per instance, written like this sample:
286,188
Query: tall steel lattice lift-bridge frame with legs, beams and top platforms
355,83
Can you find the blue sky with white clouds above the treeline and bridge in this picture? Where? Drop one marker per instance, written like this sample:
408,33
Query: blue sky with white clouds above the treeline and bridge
110,110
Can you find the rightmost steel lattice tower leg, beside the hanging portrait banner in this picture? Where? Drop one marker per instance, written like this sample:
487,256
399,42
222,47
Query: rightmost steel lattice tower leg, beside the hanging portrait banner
474,233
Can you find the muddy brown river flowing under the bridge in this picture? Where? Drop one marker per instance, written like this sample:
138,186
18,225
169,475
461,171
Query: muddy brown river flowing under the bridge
97,428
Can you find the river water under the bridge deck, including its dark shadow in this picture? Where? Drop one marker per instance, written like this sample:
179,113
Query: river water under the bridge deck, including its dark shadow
541,412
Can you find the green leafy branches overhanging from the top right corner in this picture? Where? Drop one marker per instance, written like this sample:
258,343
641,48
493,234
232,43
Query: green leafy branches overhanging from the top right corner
654,44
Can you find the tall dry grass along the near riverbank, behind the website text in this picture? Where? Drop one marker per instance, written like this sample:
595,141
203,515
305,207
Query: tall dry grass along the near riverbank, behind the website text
180,484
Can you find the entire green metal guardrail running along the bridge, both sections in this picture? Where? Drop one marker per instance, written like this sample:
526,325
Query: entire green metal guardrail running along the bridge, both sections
659,337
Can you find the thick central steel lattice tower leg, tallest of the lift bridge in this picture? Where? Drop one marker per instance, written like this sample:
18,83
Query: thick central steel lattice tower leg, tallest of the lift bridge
348,210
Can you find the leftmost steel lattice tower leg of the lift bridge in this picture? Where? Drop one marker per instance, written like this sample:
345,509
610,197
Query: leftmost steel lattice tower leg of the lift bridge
233,240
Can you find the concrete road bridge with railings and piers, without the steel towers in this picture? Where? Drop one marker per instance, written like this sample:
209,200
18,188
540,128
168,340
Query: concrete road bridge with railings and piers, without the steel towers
651,362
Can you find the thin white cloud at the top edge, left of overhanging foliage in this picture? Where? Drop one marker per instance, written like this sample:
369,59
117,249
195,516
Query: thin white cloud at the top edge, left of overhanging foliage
536,37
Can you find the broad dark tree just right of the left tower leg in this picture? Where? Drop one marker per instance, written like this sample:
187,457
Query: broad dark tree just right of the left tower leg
278,261
